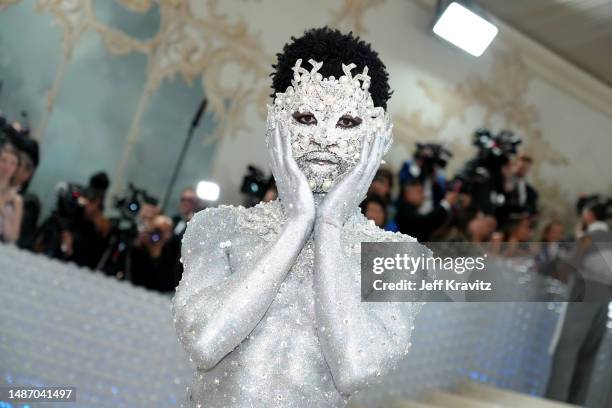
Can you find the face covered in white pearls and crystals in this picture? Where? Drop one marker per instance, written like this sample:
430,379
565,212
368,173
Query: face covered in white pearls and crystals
328,119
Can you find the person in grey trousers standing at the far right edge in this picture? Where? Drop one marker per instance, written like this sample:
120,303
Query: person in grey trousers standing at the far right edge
585,321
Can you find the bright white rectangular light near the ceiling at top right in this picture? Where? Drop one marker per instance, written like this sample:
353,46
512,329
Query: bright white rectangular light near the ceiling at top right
465,29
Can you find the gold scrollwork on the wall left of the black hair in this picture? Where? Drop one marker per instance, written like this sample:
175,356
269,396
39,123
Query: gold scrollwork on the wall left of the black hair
185,45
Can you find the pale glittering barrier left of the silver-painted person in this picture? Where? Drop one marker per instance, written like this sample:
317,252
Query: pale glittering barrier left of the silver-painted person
66,326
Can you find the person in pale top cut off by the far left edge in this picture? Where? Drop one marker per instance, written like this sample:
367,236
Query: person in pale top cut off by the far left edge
11,204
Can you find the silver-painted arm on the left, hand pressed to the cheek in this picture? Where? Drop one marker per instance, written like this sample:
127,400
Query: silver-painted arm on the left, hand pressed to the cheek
222,297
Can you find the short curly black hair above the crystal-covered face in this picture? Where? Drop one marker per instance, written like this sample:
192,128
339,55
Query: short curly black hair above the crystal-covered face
333,48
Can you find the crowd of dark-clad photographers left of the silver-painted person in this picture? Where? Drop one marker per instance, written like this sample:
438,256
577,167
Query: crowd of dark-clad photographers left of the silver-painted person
140,244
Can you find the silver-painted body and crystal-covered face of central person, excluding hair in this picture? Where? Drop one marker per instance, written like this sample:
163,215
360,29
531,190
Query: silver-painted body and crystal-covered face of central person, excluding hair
269,307
